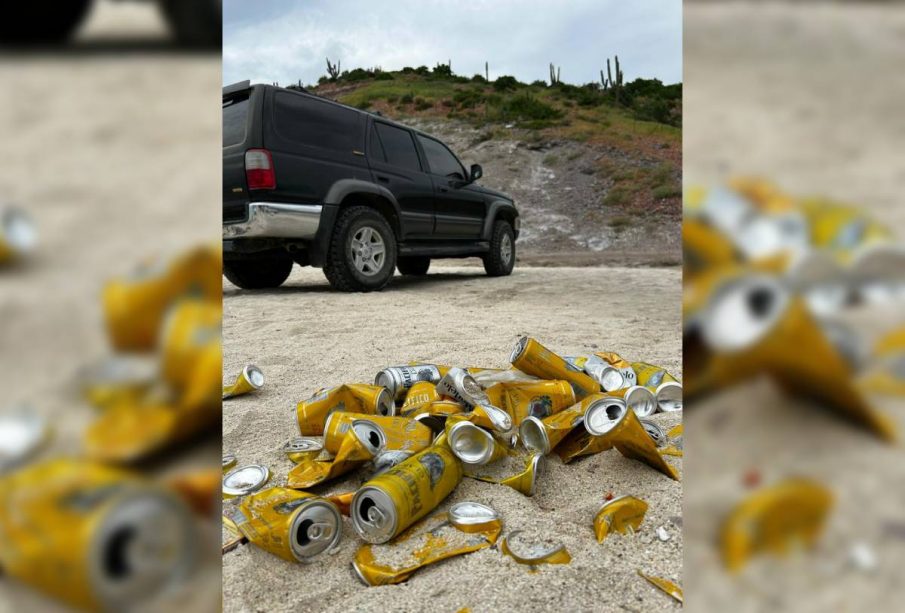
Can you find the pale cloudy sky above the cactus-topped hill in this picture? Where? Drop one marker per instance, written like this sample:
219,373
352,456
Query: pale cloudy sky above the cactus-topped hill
288,40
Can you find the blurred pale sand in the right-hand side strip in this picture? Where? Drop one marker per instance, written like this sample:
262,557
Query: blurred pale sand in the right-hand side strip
809,96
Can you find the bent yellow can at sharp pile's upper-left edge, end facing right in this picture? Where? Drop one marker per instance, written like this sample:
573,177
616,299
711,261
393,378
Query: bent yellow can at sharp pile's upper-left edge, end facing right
350,398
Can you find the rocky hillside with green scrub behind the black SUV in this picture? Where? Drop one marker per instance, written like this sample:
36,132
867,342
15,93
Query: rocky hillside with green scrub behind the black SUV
595,183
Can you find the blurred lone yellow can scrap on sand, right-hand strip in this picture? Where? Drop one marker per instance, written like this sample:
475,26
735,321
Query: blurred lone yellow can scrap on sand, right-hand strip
771,519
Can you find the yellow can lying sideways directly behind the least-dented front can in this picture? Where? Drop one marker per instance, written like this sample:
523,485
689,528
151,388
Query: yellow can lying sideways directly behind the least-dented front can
377,432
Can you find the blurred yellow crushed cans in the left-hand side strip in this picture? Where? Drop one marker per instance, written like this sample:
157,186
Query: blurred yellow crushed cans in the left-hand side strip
90,528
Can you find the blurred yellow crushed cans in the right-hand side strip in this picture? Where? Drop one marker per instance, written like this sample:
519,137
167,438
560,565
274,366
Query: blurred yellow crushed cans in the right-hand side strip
767,276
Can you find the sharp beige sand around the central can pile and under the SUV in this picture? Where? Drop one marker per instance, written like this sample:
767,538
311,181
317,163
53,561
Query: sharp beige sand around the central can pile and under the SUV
305,336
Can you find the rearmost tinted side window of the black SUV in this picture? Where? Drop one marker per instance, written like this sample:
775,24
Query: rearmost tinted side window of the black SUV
316,123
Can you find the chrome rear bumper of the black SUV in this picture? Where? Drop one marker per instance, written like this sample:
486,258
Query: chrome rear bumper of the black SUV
277,220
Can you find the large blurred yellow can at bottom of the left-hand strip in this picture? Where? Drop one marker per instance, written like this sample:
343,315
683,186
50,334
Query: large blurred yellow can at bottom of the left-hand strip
94,537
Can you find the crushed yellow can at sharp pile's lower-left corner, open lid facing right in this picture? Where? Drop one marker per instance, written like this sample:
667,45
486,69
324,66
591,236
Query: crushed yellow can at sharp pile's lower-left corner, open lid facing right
293,525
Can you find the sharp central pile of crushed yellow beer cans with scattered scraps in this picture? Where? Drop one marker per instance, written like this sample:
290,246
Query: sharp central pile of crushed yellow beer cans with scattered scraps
420,428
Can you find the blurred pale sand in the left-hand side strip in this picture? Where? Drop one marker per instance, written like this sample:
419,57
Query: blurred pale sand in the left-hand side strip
112,170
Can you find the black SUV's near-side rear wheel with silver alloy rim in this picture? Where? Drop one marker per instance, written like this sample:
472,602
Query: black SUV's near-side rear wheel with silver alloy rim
362,253
